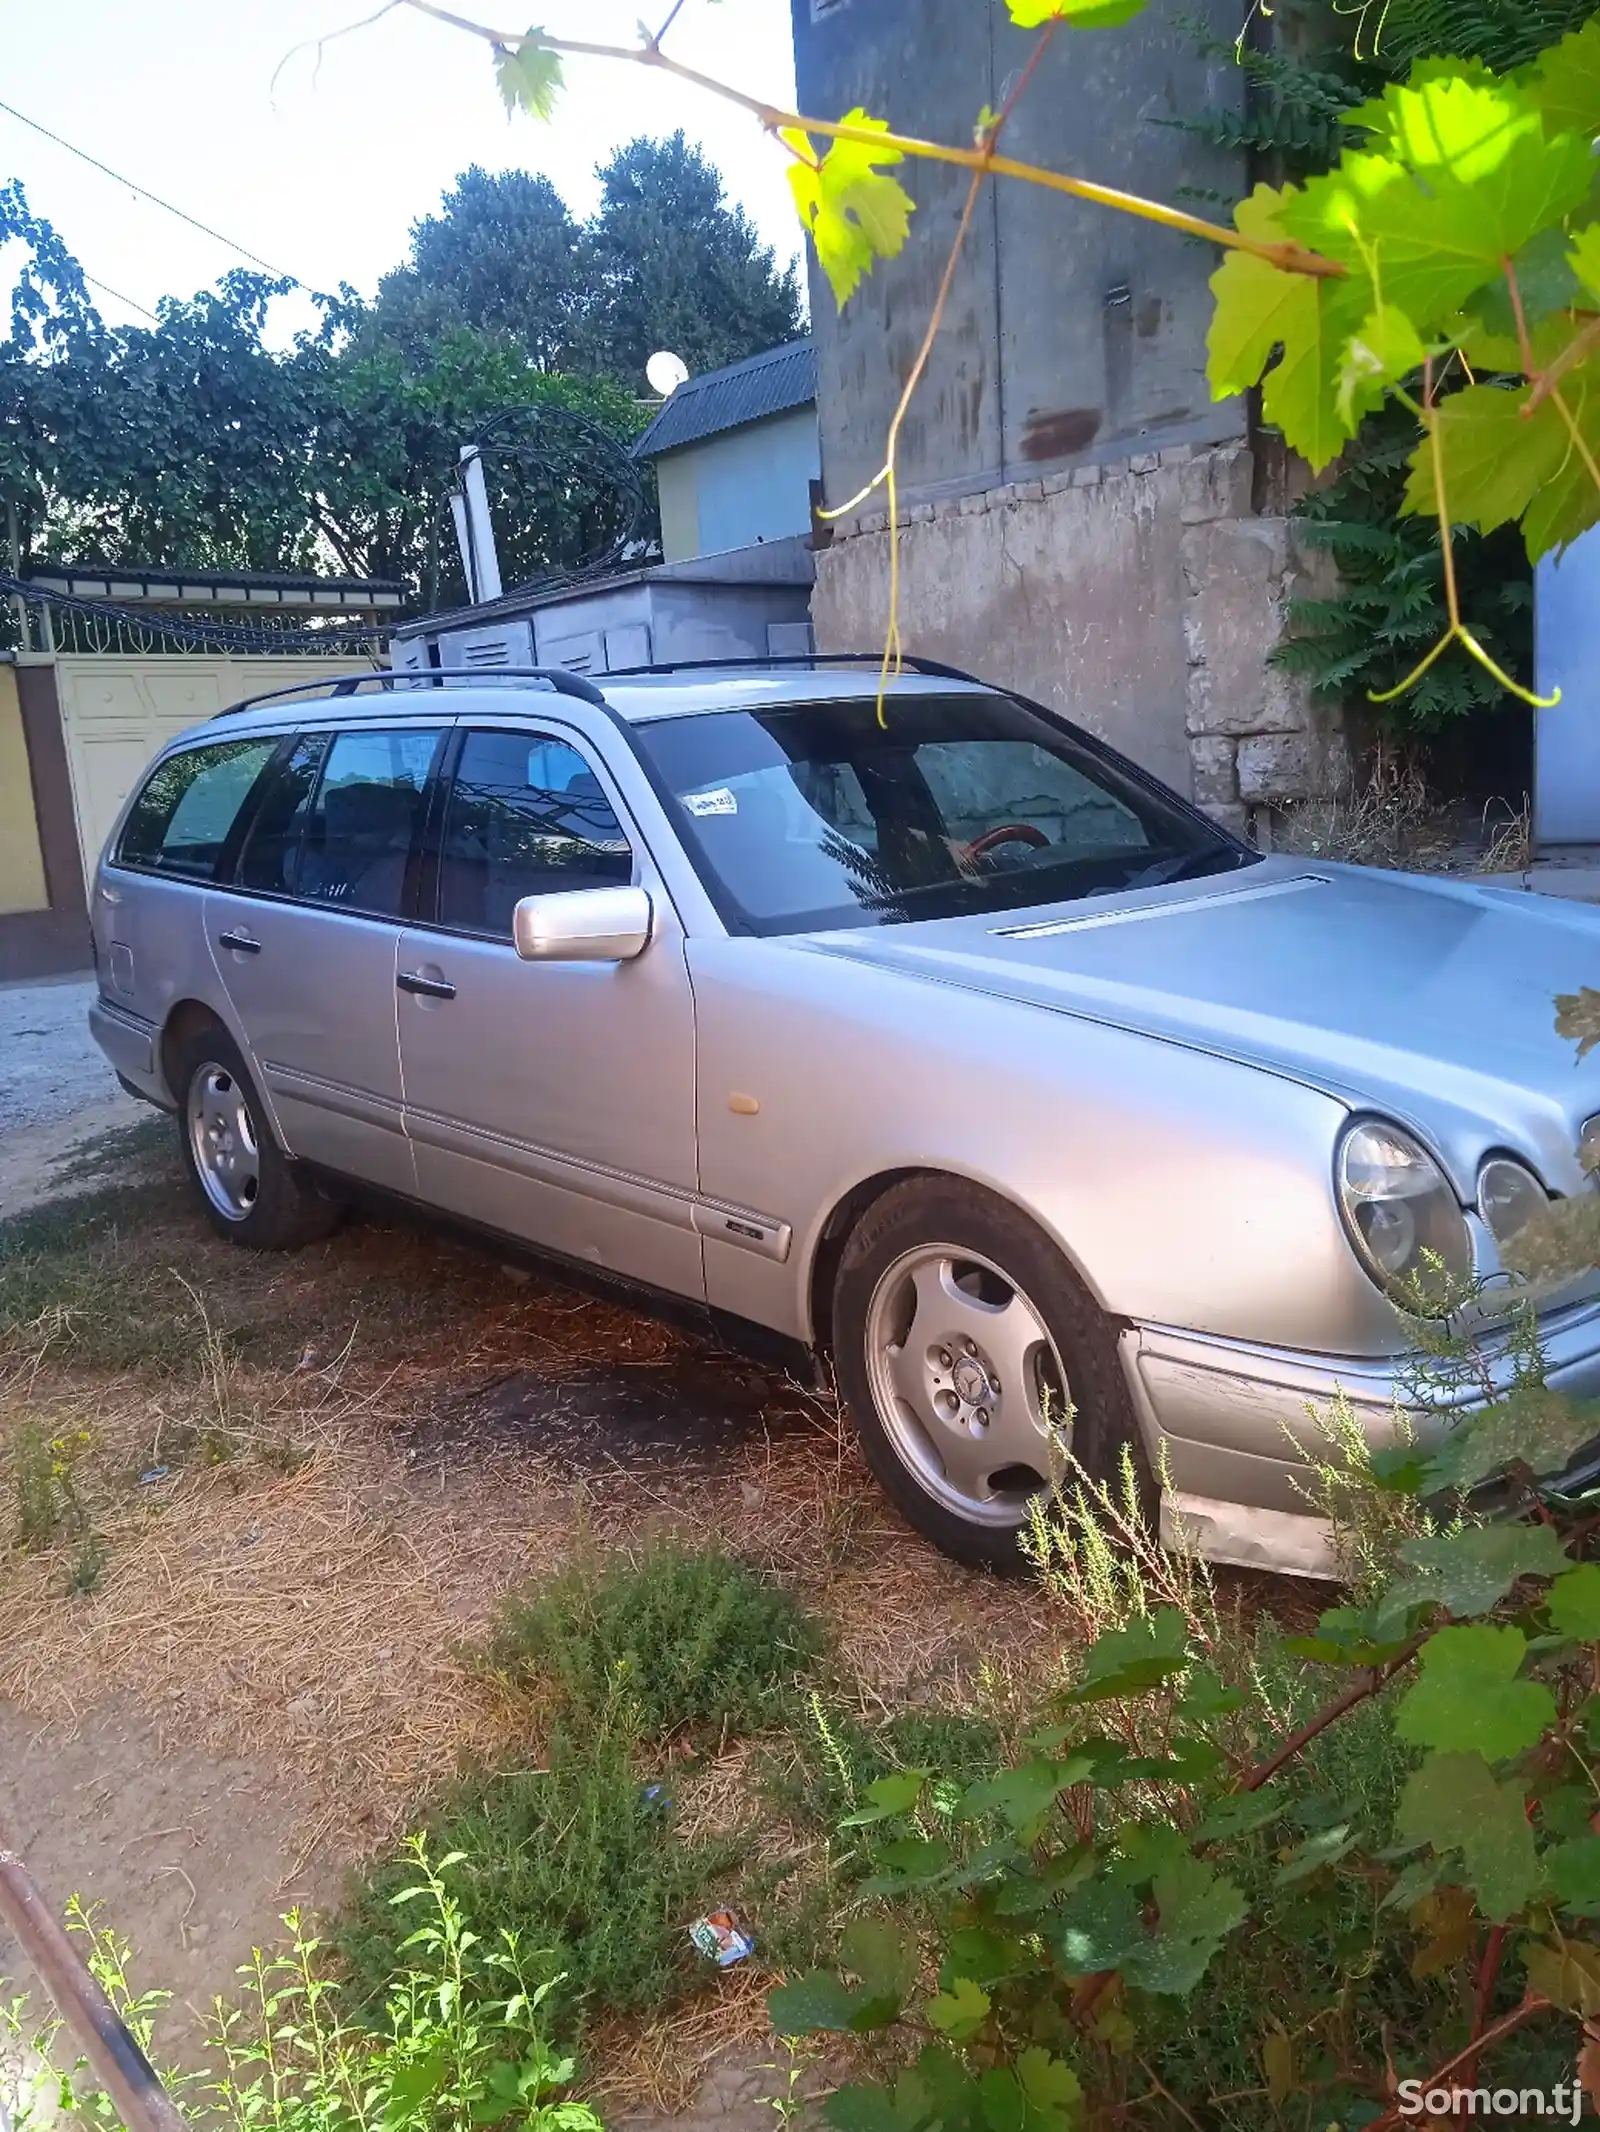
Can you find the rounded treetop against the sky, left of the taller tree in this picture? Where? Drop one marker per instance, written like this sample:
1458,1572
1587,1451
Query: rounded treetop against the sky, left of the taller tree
500,255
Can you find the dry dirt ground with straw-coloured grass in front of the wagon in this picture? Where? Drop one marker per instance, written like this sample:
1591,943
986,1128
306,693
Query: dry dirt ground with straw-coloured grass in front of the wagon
313,1481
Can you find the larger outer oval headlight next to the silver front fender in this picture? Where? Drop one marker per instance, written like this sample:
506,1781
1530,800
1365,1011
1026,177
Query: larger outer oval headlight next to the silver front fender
1401,1210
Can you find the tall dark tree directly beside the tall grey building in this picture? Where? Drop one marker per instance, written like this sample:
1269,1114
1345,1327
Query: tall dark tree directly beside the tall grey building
673,265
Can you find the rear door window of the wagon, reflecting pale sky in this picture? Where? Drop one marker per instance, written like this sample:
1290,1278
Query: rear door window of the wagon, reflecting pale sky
364,822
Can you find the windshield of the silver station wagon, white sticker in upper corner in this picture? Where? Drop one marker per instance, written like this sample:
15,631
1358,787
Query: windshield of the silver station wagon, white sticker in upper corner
816,815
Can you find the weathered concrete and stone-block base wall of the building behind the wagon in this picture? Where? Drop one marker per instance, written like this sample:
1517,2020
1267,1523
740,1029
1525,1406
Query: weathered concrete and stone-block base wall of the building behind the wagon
1140,598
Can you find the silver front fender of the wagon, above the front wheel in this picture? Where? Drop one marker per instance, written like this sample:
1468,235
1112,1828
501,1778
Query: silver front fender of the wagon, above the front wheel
1189,1191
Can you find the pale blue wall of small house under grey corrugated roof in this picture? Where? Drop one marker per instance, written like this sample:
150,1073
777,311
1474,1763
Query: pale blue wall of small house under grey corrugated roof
743,487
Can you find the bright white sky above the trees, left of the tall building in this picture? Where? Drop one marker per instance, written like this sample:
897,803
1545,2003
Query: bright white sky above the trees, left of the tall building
323,165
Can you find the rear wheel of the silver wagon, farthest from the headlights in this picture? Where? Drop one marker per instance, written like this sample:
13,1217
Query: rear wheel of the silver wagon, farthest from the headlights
249,1189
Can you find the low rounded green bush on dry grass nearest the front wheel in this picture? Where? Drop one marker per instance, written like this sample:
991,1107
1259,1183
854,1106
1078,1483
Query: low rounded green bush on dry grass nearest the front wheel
684,1638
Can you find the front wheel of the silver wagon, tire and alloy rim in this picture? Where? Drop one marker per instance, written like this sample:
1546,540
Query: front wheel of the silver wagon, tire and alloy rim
948,1306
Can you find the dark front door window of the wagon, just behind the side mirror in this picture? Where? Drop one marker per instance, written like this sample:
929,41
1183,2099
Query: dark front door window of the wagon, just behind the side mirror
526,818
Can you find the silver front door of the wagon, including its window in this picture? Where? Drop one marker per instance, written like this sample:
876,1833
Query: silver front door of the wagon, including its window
549,1099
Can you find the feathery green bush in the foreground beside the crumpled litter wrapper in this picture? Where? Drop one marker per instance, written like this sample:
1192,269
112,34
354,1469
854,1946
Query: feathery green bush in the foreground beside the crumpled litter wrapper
579,1862
